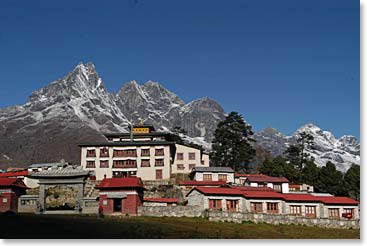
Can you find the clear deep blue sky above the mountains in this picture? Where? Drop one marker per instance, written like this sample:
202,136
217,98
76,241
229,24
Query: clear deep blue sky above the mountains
279,63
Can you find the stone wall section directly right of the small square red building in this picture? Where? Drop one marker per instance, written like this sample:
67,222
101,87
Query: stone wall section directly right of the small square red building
171,211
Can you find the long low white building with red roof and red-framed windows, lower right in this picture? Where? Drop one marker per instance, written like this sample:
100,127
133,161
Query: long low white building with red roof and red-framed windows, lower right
249,199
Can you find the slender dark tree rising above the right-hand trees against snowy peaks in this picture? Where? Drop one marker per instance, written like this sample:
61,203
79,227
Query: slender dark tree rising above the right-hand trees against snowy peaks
296,153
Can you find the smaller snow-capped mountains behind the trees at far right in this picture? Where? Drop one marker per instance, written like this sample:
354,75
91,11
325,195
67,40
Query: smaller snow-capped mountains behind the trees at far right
343,152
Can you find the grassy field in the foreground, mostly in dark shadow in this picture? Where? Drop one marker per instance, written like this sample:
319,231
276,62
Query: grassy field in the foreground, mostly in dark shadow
77,226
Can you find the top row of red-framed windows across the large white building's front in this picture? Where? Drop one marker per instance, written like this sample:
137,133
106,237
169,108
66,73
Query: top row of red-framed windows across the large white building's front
123,153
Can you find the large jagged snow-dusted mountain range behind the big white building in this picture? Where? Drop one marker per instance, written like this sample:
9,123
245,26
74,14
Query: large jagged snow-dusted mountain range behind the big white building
78,108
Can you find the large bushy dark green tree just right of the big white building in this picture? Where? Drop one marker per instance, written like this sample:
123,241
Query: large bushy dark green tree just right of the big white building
232,143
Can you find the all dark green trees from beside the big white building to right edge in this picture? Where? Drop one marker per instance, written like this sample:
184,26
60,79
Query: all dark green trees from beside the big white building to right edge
233,146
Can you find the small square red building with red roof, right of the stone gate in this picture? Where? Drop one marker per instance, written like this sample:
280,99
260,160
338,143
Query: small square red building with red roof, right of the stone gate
120,195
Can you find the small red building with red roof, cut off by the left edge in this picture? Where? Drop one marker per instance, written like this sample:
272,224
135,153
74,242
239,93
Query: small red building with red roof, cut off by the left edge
10,190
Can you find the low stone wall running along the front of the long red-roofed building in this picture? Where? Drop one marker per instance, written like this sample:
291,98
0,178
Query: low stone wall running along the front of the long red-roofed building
282,219
